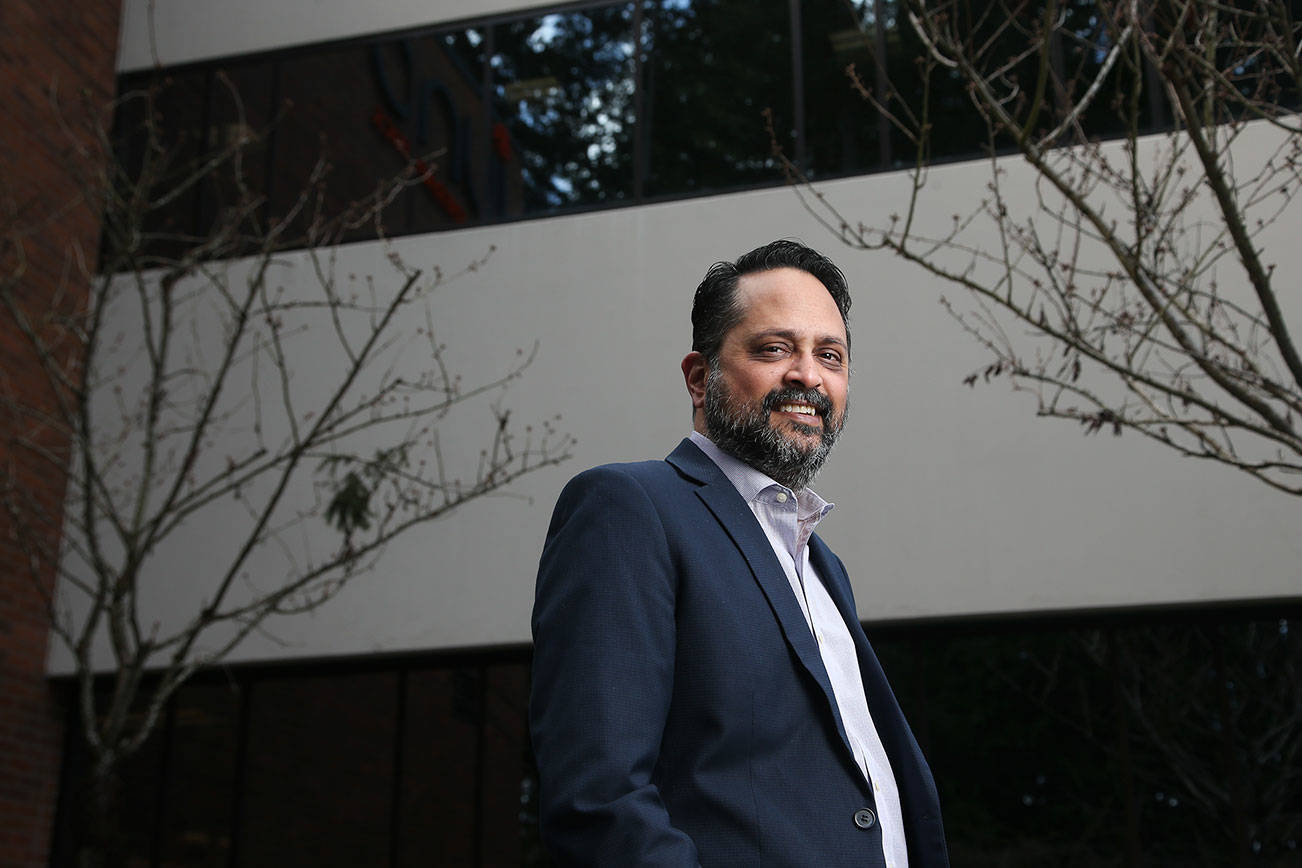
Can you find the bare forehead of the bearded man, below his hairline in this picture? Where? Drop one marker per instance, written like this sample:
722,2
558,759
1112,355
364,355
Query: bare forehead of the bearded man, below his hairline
791,300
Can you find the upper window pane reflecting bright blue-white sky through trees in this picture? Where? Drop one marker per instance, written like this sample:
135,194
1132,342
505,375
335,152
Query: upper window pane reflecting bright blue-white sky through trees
566,89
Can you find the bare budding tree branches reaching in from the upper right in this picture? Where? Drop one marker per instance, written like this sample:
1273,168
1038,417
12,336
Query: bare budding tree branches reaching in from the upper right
1132,290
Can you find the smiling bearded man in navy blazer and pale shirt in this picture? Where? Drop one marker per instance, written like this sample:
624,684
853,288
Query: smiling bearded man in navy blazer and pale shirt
704,694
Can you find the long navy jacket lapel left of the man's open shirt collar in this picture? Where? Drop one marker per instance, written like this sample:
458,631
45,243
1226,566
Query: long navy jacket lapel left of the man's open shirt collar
743,528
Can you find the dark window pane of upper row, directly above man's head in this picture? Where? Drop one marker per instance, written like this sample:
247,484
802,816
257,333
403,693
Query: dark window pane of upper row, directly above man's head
712,70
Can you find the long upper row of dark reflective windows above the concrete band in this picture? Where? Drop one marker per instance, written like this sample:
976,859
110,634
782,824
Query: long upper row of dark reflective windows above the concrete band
601,106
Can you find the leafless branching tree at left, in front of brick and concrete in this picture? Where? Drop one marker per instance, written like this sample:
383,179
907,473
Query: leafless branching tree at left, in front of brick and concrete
149,427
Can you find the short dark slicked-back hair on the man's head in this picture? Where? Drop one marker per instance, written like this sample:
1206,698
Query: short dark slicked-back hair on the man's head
715,310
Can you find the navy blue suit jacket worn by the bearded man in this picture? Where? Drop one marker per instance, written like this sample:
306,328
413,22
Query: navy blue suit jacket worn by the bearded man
680,711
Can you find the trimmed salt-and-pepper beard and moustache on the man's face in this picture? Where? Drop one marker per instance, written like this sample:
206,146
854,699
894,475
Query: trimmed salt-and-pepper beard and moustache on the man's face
748,433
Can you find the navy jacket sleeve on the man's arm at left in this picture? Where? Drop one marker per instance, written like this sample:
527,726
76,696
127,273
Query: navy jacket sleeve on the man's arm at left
603,677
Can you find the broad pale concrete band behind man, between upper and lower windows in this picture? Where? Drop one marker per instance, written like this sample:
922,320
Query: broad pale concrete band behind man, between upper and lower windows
951,502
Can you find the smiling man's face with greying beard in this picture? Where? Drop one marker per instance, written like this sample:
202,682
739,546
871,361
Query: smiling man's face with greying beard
777,398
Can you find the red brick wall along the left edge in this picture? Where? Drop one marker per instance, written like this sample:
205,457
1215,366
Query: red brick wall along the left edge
71,46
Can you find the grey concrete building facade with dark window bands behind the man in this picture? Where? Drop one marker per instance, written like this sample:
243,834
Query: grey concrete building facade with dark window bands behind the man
1047,604
